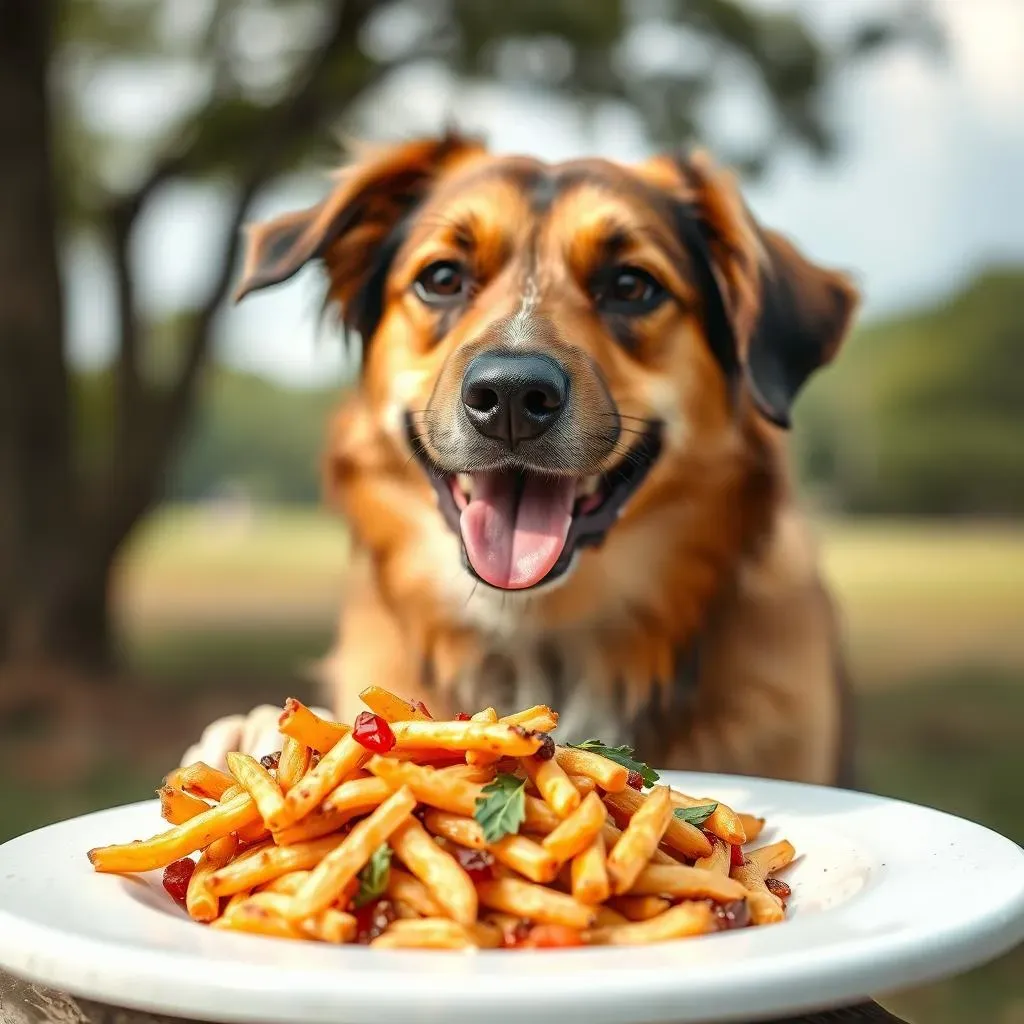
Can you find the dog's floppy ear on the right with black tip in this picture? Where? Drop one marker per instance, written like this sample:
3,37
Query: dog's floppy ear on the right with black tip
774,317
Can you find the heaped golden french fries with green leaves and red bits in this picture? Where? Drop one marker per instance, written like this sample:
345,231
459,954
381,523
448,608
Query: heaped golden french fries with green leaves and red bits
458,837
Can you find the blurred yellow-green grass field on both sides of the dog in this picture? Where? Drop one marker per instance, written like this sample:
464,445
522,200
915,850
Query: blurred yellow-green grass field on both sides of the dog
231,610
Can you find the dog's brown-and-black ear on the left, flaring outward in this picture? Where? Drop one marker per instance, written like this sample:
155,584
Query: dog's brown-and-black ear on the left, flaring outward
354,230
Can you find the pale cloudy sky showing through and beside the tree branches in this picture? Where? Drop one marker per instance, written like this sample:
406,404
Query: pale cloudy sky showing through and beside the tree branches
927,191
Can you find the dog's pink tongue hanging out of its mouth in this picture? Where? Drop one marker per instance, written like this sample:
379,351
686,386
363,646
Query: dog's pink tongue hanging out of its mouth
513,544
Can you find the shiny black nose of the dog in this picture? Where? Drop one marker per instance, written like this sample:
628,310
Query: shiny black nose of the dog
514,398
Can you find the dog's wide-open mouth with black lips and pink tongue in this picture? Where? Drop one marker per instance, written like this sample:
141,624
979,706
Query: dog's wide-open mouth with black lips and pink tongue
523,527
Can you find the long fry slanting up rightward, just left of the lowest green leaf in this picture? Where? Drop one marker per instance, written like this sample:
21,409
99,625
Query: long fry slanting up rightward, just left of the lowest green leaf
340,867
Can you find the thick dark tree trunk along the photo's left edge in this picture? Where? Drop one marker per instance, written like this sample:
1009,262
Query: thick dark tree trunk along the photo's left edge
53,587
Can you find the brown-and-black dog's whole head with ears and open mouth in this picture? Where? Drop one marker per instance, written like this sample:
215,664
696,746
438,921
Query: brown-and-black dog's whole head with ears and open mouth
552,346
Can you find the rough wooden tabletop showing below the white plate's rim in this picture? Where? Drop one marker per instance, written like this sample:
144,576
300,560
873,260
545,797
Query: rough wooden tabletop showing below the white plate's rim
24,1003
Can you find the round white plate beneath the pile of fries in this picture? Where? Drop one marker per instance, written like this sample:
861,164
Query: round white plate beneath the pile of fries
886,895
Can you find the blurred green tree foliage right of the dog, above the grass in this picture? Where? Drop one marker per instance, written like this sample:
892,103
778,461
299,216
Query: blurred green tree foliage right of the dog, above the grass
925,414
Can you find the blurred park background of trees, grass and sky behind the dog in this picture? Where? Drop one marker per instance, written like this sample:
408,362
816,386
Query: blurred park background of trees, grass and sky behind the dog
163,557
